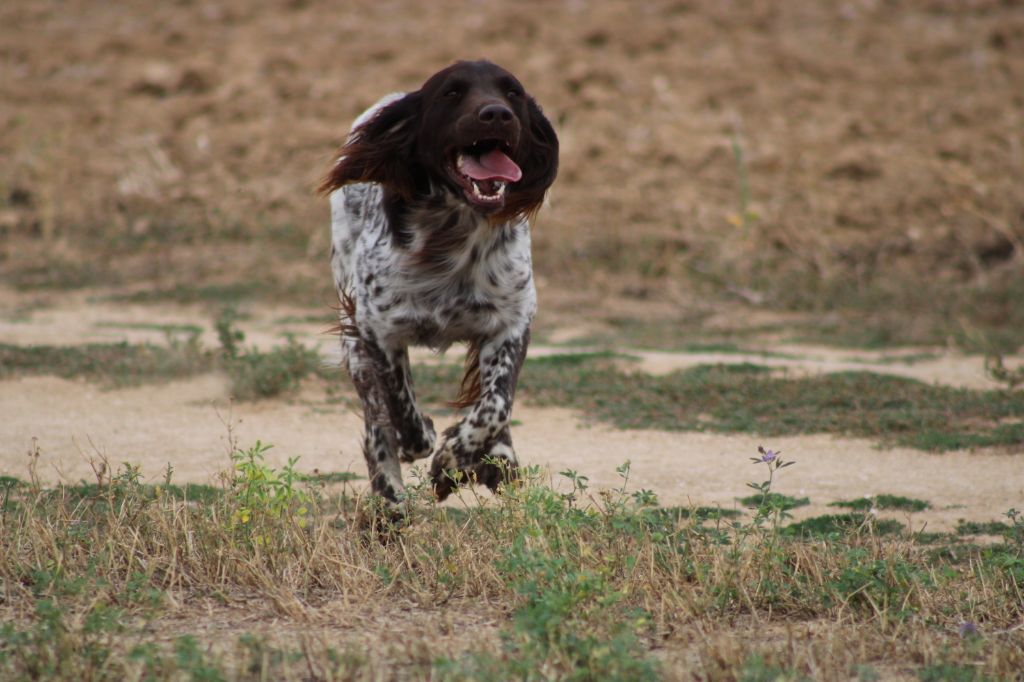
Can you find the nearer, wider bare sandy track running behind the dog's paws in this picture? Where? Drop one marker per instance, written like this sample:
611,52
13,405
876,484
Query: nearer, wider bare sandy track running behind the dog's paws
186,423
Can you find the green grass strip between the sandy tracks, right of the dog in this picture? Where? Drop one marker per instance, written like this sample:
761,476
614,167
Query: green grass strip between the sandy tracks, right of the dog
746,399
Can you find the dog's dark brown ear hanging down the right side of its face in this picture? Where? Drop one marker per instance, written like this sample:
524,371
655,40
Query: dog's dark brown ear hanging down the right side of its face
539,161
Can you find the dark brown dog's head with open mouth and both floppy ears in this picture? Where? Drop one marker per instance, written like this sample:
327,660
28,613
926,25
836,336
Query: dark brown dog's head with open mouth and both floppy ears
472,129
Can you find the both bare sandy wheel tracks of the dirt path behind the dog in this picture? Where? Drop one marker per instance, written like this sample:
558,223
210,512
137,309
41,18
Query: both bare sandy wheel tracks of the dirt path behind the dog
186,423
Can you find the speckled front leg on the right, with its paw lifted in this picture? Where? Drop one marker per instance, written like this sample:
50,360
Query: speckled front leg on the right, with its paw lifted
480,447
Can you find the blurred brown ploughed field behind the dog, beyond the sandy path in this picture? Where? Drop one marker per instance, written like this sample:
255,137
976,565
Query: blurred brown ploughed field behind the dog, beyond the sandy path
846,173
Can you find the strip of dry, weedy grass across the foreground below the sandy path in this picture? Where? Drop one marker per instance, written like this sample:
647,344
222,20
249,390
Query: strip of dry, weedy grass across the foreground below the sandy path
270,579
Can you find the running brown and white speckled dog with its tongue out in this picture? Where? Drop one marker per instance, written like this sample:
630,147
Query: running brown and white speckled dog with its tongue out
431,201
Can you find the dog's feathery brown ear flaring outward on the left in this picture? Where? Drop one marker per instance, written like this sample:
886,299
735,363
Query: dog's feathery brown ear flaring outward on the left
380,150
